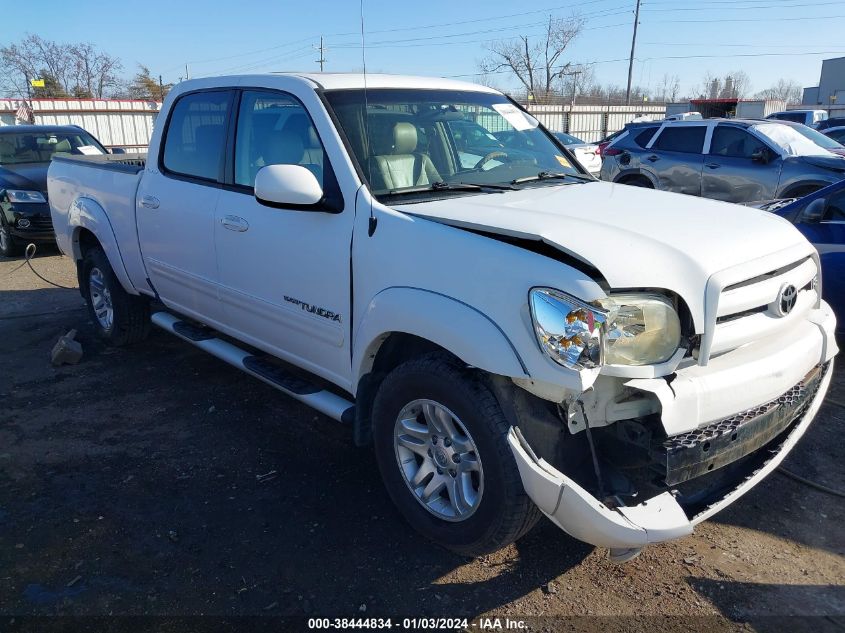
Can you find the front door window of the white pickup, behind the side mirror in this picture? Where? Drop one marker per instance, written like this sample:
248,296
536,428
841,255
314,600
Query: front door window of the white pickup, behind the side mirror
275,129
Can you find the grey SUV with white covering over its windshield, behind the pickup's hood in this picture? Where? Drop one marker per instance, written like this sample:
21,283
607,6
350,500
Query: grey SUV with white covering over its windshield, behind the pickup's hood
727,159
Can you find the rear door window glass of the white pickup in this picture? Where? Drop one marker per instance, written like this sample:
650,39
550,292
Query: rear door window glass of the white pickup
196,135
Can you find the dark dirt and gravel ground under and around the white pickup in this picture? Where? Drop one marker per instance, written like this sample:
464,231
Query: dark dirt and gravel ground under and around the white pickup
128,487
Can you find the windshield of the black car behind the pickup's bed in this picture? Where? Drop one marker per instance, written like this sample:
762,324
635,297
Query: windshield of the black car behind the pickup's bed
40,147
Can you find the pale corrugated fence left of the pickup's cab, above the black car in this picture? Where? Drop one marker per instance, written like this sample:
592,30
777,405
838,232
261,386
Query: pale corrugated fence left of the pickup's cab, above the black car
115,122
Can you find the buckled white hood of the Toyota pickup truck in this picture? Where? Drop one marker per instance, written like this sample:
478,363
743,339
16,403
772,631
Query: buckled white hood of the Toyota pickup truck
635,237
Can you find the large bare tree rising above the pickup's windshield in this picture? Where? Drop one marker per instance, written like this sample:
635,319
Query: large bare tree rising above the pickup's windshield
535,63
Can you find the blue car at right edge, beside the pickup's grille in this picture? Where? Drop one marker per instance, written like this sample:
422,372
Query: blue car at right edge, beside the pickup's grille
820,216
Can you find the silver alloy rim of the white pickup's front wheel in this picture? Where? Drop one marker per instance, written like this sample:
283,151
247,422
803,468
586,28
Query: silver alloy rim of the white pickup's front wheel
439,460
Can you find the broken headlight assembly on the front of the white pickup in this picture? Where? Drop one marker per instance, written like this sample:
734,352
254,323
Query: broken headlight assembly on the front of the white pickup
629,329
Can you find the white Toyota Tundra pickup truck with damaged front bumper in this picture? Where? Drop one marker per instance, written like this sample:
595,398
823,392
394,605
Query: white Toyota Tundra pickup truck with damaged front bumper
512,336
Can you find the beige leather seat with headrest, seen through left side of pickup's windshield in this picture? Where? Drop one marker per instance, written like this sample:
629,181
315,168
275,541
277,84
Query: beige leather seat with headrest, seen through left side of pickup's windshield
397,164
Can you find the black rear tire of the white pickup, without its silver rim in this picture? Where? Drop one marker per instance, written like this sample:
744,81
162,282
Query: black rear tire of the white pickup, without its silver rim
131,313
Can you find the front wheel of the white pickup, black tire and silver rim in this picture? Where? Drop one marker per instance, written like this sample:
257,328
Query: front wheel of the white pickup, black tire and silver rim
441,445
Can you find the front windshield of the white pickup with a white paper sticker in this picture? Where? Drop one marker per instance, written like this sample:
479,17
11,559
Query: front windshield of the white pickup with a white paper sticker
406,140
